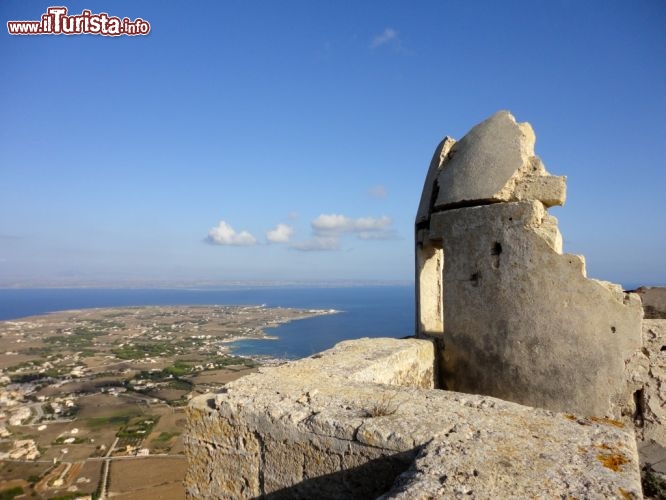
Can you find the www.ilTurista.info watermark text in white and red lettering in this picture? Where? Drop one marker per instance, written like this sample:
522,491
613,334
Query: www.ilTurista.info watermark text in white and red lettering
56,22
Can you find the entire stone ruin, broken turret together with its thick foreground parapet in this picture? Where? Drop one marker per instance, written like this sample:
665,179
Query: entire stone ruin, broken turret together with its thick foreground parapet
544,372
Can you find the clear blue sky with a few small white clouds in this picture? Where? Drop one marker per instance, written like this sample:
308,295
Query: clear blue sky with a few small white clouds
125,159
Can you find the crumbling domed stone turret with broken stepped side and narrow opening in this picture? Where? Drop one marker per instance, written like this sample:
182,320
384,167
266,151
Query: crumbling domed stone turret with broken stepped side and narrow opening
512,316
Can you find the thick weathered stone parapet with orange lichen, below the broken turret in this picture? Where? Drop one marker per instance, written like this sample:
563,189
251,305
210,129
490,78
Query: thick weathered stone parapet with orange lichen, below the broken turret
352,423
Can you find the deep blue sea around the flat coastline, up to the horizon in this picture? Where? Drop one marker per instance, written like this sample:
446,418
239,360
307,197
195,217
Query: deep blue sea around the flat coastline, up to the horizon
364,311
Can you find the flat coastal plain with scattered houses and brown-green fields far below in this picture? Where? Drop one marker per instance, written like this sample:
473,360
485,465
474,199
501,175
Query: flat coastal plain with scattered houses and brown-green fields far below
86,393
